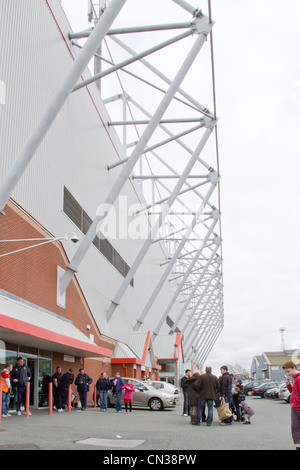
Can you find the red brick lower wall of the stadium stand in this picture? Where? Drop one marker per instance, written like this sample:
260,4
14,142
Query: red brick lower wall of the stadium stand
32,275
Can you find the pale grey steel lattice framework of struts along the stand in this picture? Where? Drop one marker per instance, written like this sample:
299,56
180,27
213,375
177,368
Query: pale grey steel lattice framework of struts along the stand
165,133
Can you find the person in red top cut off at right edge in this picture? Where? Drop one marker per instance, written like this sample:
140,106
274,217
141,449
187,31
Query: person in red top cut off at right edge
291,369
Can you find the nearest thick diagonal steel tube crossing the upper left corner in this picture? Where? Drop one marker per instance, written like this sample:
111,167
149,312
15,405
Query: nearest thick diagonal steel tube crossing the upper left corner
58,100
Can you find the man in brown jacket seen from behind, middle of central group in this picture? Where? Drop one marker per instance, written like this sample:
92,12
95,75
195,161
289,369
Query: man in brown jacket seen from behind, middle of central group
208,392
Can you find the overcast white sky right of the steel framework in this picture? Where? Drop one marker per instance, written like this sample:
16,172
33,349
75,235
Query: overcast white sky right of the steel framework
257,65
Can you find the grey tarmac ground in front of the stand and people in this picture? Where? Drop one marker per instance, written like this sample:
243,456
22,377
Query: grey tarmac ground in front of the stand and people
147,430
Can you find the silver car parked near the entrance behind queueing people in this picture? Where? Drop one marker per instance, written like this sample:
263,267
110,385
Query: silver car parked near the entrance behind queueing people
146,395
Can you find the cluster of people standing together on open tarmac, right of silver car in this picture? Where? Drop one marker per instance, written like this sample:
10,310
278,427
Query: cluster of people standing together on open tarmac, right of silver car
203,392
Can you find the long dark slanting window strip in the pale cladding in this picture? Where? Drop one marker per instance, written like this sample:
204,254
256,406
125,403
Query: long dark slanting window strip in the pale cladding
81,219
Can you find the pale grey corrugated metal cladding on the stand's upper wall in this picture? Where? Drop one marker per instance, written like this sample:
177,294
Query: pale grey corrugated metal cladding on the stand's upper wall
35,55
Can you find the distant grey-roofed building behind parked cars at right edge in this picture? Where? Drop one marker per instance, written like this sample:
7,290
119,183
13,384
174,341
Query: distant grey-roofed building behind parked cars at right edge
270,364
